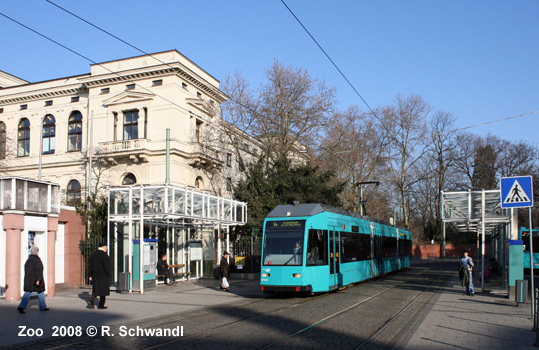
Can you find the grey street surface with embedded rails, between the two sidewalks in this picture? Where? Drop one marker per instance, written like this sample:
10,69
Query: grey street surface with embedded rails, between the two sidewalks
381,313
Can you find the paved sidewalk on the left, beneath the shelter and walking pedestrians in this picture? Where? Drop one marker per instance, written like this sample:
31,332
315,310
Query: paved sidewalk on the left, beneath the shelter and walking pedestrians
69,308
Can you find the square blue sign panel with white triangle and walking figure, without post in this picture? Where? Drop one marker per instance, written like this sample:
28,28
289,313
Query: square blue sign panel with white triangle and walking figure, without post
516,192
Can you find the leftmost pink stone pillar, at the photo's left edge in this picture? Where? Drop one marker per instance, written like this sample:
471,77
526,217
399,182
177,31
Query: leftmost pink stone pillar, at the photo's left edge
13,225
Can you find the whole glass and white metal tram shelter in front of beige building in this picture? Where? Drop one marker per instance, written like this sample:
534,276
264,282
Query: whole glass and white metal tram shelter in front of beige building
189,226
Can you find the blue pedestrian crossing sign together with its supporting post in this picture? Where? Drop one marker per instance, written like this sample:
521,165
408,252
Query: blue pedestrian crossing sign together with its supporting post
517,192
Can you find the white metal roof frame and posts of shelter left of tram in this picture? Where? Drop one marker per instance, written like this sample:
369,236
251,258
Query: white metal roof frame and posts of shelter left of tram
172,207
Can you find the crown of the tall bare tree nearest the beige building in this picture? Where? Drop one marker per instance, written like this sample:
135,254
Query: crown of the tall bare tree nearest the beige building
290,108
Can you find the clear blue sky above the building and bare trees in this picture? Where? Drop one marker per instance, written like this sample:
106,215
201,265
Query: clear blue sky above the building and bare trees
475,59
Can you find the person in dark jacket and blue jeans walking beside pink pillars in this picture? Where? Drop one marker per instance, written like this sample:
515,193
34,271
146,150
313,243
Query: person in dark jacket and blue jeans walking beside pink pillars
33,281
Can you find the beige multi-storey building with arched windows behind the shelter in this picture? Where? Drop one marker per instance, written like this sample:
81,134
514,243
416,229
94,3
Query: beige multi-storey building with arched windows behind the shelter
146,120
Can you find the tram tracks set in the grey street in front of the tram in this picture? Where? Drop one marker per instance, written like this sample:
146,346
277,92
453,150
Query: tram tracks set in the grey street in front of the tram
264,324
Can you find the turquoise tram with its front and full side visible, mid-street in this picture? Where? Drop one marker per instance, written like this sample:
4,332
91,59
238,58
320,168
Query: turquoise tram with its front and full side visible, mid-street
318,248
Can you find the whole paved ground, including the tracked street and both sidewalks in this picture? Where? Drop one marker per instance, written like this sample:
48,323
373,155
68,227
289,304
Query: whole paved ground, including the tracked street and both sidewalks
439,316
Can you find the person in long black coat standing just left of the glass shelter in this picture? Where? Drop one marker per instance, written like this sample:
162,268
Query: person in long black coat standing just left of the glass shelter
99,276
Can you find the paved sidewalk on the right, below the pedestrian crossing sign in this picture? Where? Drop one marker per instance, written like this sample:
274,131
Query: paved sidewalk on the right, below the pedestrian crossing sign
484,321
